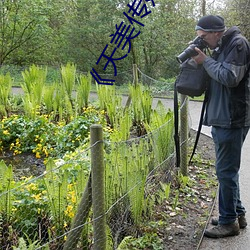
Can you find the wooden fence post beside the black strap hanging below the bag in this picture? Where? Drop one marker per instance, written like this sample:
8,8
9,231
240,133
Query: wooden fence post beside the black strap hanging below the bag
184,135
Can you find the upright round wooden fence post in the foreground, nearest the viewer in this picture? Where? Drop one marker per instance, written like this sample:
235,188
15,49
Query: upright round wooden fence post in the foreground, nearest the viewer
98,195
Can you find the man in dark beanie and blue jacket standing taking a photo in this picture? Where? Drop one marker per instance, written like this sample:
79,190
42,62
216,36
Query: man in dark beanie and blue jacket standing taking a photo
228,112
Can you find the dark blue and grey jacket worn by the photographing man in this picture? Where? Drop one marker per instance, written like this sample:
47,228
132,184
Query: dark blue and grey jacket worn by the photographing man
228,103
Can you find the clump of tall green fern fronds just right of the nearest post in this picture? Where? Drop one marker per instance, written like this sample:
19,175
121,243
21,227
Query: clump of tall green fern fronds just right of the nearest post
125,172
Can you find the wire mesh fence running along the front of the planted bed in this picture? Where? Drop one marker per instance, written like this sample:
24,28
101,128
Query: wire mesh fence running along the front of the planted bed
55,210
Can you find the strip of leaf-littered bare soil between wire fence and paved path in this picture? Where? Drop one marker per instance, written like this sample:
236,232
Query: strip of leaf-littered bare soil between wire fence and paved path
186,223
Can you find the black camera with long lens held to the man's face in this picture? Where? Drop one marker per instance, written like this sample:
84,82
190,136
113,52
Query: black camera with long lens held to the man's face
190,51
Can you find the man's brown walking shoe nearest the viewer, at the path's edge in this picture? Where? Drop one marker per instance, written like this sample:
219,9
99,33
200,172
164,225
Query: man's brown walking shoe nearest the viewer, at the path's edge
221,231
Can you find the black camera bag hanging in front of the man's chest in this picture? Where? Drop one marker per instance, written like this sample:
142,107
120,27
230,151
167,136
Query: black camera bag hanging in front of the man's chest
192,80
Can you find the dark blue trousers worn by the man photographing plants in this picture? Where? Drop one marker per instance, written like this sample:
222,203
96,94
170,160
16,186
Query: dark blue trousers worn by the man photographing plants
228,145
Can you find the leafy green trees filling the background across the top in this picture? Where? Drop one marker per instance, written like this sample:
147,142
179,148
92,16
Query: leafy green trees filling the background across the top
44,32
